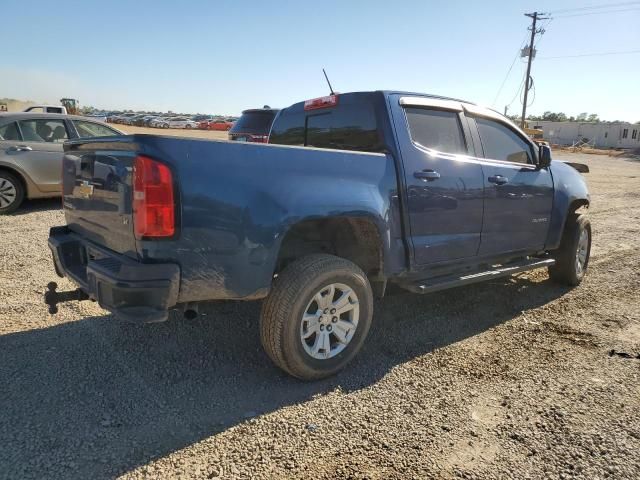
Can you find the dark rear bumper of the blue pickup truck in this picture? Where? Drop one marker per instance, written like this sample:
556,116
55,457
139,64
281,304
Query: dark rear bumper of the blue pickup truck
133,291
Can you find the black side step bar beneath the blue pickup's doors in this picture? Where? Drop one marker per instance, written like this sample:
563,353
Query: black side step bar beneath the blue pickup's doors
442,283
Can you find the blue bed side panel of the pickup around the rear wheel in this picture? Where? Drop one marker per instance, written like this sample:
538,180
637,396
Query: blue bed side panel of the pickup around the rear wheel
239,199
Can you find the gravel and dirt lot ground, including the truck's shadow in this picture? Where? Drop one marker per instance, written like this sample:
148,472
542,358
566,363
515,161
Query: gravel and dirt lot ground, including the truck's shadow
511,379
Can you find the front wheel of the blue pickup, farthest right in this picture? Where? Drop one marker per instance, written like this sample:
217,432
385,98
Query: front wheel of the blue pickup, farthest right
572,258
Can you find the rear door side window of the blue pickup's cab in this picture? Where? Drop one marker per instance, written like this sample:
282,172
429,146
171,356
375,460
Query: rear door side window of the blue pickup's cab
436,129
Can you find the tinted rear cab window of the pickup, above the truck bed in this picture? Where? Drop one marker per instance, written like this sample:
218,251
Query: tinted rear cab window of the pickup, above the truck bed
351,124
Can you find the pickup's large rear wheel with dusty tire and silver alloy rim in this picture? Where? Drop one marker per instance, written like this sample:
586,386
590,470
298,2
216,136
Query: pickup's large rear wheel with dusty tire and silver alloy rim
317,316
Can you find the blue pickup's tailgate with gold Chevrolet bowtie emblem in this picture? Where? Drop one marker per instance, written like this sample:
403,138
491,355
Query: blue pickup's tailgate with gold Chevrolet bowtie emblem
97,192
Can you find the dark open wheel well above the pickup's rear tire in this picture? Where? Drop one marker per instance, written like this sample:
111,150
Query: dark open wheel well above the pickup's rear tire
356,239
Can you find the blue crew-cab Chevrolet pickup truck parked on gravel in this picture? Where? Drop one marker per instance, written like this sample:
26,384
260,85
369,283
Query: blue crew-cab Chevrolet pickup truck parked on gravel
355,192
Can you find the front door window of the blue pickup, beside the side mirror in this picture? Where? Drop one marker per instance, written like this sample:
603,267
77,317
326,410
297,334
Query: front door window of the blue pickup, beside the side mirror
501,143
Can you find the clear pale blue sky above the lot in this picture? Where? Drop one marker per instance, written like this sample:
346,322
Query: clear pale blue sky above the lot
221,57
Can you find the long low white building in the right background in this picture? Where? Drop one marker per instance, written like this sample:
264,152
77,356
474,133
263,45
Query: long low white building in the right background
604,135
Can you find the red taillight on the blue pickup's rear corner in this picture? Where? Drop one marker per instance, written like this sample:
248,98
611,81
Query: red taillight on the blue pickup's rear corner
153,202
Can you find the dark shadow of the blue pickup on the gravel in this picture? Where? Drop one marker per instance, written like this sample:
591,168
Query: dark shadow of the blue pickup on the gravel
108,397
